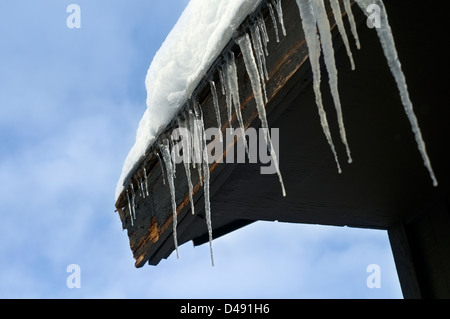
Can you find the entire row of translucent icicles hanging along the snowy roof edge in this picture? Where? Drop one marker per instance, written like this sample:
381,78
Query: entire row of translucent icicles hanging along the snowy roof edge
254,50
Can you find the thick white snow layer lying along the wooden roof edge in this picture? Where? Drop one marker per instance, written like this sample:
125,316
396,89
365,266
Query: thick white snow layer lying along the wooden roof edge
199,36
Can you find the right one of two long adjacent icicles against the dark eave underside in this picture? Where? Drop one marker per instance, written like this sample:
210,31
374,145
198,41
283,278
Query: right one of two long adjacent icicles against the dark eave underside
328,52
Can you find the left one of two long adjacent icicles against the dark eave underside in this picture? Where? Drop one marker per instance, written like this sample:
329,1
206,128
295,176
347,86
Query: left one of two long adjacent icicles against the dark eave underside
313,43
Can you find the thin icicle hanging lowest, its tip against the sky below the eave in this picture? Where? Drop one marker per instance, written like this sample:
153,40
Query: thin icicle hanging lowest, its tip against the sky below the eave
201,126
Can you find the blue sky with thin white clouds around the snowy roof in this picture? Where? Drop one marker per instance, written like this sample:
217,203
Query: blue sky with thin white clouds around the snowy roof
70,103
